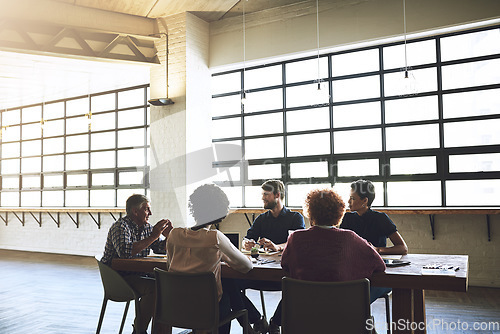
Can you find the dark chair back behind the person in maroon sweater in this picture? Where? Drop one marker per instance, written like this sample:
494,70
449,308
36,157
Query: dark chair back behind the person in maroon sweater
326,307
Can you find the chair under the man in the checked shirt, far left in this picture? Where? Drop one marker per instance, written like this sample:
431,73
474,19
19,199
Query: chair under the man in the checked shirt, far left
118,290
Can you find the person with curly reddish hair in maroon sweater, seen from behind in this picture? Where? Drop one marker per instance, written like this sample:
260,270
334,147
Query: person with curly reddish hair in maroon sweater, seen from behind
324,252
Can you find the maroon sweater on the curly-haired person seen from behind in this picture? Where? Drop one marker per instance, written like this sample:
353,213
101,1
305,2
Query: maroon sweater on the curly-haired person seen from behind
329,255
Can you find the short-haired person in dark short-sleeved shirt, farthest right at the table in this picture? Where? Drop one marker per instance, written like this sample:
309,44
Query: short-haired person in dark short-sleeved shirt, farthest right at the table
373,226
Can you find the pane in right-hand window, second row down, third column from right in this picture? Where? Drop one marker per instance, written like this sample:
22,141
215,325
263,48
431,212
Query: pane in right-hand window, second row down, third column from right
356,89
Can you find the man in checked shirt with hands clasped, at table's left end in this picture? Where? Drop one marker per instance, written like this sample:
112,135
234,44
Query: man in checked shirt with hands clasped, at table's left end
133,236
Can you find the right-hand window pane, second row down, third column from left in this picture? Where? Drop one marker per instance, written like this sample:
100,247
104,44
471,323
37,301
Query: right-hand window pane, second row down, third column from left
307,95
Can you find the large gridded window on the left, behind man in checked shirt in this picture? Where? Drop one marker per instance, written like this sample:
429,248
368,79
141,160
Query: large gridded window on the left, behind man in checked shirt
79,152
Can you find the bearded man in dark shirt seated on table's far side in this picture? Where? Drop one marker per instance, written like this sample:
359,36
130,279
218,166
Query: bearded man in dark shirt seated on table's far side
270,230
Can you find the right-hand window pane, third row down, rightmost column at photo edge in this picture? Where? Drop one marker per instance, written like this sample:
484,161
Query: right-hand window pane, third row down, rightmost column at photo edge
483,102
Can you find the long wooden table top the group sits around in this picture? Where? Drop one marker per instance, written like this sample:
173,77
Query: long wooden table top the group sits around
404,277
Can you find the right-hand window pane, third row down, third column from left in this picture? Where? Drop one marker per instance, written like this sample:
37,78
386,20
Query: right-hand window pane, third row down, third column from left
308,119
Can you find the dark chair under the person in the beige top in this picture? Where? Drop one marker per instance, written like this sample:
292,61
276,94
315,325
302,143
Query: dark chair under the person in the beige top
189,300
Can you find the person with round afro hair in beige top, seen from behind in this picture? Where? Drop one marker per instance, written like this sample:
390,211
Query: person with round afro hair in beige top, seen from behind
200,249
